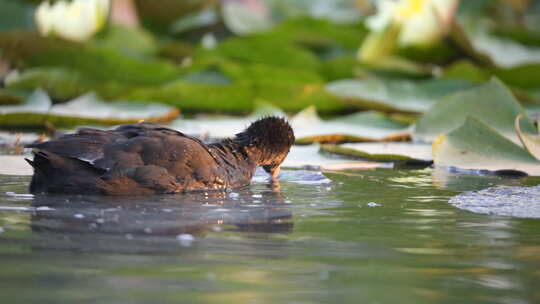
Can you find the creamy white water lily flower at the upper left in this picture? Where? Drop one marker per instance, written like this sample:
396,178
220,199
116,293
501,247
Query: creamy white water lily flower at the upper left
77,20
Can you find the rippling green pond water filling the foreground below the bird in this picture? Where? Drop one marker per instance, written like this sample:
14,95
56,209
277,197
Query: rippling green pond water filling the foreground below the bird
374,236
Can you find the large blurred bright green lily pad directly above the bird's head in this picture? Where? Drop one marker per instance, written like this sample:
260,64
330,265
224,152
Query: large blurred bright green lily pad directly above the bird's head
290,89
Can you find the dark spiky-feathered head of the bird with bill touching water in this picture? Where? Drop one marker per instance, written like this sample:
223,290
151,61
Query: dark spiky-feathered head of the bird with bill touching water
268,141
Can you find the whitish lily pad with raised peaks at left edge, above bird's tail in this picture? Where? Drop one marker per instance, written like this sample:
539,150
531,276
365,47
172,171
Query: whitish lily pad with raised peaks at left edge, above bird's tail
37,111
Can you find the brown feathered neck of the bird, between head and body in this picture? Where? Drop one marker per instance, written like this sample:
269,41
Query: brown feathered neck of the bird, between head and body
238,162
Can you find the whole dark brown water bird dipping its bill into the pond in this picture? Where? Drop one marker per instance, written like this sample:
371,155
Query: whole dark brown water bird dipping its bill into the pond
146,158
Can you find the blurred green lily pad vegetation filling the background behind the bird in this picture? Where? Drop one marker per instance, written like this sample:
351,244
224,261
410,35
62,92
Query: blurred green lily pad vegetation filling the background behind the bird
214,57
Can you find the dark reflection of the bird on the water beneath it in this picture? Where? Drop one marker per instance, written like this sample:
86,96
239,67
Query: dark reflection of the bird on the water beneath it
124,219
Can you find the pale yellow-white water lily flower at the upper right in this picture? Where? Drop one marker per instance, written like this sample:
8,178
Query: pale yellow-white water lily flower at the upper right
421,22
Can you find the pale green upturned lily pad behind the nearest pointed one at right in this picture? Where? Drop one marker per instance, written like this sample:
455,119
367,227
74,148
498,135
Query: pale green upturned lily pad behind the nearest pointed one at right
492,103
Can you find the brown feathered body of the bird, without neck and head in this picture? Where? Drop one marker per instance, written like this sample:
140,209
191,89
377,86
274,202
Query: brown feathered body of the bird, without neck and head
132,159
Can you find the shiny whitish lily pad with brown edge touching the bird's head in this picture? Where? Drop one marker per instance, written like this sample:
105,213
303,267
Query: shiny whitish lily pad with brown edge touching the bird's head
358,127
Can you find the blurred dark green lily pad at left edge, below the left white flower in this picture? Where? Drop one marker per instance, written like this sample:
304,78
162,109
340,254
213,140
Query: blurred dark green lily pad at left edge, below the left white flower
28,49
